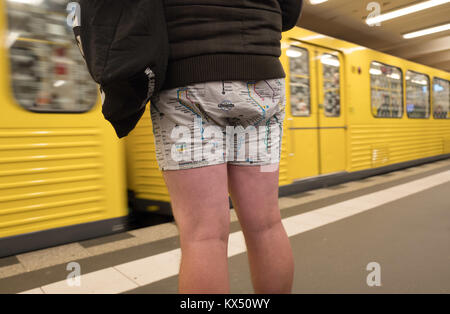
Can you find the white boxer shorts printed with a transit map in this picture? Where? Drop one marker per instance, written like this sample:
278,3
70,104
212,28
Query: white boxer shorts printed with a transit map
203,124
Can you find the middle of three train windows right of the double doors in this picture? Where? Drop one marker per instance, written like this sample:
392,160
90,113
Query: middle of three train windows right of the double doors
417,95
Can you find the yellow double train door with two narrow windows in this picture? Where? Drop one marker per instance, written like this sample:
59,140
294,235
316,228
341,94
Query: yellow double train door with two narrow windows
316,120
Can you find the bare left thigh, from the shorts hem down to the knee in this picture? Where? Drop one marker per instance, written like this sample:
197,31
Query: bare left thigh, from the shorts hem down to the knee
199,198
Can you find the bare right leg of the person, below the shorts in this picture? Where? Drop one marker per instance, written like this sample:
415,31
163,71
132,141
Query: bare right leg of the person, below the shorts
255,199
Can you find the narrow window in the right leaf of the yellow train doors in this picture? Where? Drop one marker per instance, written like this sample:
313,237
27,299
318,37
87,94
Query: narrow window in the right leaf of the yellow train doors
331,85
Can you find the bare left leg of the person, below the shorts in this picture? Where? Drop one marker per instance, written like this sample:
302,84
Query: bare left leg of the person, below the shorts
200,206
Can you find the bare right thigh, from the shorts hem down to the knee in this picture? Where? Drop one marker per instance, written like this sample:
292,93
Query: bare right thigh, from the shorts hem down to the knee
255,196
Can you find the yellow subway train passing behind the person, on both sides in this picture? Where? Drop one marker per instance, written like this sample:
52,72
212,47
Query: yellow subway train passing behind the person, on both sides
64,176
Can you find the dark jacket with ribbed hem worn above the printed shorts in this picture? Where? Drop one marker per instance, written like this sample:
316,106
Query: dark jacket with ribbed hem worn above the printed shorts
213,40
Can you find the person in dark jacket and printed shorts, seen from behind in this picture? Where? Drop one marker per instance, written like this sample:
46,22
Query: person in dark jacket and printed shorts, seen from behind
217,124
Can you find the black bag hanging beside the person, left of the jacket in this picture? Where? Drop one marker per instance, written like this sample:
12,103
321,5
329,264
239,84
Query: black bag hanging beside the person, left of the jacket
125,46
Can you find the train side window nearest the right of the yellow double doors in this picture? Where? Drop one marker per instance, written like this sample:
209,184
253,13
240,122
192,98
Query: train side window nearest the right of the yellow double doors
387,90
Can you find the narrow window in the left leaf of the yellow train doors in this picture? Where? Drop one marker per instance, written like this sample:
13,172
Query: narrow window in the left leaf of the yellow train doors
299,81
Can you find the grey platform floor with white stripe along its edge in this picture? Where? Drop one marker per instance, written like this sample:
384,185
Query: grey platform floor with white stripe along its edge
400,220
